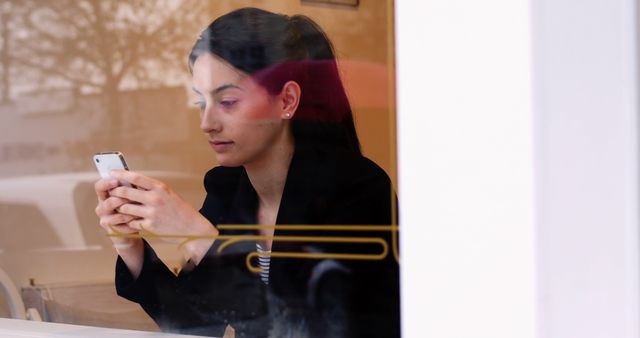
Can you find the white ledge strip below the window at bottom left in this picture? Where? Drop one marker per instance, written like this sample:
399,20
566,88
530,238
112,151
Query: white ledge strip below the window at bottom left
17,328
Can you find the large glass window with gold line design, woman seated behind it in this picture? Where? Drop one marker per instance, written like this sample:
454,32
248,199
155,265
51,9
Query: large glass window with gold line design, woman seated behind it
261,147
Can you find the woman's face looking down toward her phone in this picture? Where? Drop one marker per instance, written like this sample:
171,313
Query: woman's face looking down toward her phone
242,122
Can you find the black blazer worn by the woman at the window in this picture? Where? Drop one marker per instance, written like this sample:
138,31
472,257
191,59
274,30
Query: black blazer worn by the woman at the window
304,297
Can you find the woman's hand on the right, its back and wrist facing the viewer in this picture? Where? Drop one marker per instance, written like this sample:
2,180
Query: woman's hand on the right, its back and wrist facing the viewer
154,207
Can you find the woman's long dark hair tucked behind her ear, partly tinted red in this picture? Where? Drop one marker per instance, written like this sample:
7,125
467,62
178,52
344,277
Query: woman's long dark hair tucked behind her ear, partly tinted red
275,48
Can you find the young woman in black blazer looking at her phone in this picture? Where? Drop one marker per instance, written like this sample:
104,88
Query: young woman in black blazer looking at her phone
277,117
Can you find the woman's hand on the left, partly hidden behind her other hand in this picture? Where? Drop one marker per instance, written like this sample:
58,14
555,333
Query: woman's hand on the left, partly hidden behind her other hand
113,222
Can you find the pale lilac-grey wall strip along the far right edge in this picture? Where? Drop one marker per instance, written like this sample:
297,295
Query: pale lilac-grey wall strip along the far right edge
585,85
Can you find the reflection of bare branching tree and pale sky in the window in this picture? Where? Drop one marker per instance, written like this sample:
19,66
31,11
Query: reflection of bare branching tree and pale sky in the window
103,46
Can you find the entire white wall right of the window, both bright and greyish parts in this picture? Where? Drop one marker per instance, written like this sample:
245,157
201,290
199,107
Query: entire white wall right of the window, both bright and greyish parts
518,163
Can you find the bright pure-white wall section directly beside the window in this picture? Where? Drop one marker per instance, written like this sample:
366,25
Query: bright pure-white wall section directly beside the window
466,168
